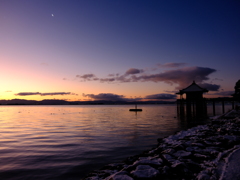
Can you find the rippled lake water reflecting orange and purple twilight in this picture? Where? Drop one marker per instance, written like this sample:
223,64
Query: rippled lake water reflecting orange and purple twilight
67,142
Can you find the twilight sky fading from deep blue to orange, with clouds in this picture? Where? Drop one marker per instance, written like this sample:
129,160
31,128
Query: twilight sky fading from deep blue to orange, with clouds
117,49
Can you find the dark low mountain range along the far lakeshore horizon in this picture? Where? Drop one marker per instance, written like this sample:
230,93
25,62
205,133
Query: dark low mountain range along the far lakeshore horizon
63,102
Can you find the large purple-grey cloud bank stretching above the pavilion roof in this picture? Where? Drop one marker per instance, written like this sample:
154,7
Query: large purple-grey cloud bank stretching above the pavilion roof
181,77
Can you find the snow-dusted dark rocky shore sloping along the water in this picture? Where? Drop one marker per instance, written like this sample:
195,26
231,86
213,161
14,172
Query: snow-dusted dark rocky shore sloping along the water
201,153
